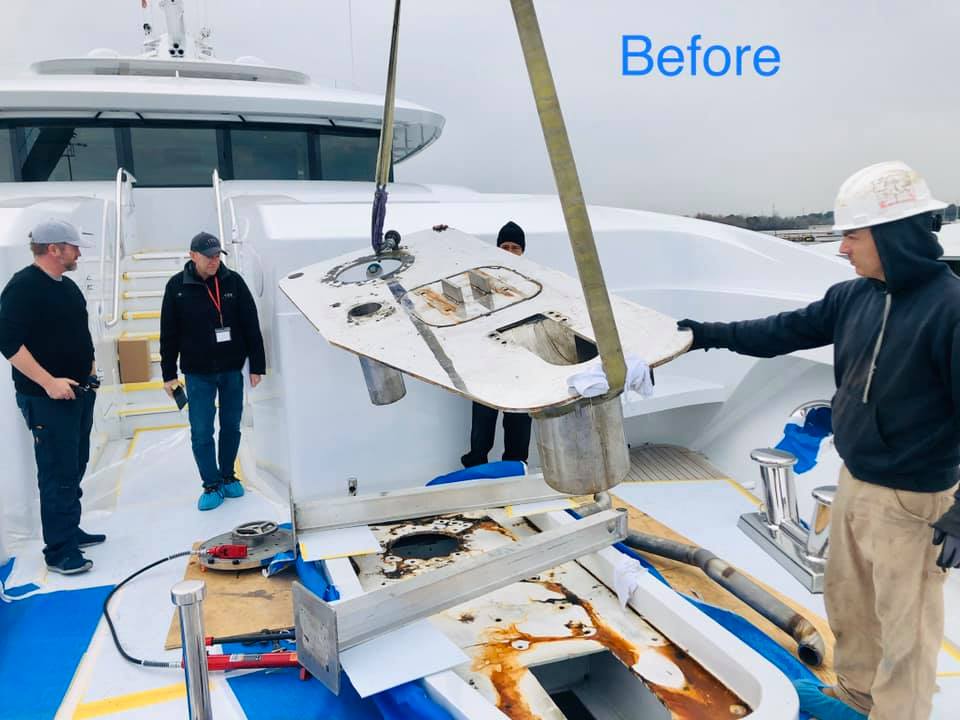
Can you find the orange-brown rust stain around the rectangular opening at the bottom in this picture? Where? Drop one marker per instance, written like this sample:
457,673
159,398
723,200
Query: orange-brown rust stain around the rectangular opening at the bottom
501,659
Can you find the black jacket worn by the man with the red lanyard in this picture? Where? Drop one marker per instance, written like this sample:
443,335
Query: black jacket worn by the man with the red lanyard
188,319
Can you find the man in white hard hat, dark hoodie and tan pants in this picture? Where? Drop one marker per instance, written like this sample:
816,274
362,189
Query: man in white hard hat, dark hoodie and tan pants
896,420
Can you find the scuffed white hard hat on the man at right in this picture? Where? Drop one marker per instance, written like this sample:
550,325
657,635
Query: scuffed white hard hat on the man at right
882,193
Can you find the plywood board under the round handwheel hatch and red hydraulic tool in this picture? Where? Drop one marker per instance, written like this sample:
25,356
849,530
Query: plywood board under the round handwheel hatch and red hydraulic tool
239,602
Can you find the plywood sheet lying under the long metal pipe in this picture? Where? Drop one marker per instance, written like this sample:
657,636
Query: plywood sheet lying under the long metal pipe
692,581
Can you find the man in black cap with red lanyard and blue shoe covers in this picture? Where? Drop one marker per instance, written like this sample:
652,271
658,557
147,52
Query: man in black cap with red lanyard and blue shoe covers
209,320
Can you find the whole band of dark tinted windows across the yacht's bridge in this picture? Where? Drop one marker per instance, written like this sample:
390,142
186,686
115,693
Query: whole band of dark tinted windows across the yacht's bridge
179,154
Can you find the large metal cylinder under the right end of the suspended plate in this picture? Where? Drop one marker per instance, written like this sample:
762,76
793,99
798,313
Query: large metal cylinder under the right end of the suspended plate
584,450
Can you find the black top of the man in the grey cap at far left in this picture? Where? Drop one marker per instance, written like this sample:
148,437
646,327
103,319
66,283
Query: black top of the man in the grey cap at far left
49,317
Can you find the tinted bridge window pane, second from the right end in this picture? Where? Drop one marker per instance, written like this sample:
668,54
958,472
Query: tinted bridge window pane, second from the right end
270,155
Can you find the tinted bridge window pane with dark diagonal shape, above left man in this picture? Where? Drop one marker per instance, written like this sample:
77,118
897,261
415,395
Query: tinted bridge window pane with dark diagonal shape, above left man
66,152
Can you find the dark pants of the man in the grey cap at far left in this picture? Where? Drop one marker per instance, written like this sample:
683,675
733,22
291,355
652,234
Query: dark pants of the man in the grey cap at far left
61,442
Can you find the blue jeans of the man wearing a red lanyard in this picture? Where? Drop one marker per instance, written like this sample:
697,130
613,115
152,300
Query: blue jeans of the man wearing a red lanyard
202,390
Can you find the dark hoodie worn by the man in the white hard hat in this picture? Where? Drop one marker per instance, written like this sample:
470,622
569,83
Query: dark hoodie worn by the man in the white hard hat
896,355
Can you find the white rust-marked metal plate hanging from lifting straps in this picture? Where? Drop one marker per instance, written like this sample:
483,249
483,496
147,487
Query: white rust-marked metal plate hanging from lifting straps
472,334
